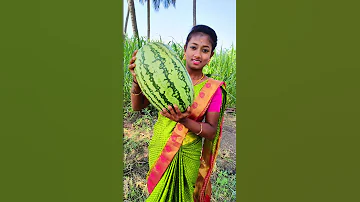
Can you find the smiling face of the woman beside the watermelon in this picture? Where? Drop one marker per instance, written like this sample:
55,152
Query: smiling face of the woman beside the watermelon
198,51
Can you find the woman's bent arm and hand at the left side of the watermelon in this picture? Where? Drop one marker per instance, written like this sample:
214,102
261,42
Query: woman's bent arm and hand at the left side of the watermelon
138,100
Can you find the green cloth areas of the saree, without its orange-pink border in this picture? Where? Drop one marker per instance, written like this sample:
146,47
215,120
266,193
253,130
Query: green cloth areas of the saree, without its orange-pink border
179,179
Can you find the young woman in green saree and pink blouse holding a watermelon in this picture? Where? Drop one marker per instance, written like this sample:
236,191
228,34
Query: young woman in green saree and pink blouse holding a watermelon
180,160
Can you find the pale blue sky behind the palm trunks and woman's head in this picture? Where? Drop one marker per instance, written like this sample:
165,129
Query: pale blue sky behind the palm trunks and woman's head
175,23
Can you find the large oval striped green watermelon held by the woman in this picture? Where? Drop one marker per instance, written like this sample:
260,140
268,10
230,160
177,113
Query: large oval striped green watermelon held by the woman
162,77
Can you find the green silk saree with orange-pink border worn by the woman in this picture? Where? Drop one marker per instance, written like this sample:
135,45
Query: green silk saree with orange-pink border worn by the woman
180,161
